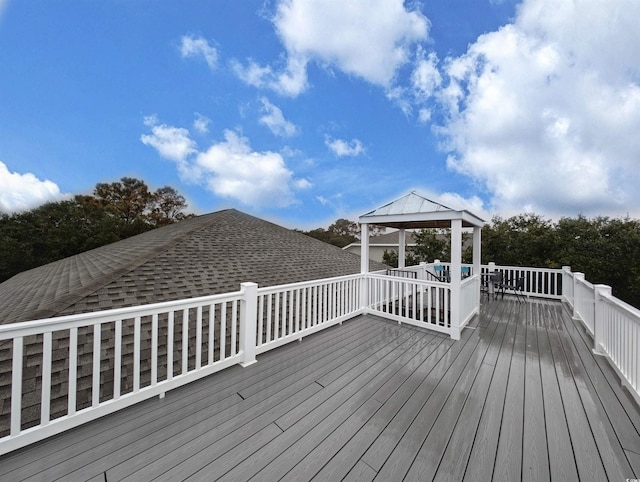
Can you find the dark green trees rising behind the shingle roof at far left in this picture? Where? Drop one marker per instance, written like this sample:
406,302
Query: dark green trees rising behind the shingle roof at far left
60,229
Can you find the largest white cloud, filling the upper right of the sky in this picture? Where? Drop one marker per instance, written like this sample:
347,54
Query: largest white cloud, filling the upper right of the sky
545,112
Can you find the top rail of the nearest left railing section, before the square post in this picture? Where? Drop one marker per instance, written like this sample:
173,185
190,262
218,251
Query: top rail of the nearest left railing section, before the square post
26,328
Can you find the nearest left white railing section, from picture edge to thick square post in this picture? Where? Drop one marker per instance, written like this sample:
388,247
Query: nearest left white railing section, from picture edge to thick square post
97,363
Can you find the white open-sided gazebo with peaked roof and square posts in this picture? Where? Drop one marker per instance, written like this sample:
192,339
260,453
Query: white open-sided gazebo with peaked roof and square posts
414,211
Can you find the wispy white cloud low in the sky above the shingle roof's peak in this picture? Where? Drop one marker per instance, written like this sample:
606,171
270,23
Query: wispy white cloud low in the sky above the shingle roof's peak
229,168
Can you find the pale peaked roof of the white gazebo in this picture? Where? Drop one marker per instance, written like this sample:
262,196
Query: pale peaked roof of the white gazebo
416,212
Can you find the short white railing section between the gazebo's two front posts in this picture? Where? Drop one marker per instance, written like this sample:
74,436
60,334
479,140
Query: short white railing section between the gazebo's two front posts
412,301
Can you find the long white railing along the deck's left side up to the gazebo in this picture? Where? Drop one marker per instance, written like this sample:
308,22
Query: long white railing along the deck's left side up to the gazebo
120,357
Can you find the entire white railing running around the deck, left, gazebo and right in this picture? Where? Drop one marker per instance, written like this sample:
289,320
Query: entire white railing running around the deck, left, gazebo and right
82,367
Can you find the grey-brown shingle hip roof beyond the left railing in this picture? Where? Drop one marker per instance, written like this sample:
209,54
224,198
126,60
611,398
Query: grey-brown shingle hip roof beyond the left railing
199,256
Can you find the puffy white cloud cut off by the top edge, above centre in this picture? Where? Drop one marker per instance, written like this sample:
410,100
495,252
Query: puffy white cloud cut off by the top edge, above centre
369,39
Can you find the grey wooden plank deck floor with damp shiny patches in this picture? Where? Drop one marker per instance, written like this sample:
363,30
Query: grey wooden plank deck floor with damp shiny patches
520,396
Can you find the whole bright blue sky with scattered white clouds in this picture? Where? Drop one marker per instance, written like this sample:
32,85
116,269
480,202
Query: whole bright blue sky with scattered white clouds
305,111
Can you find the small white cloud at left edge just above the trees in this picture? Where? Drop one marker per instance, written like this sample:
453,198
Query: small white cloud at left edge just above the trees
22,192
